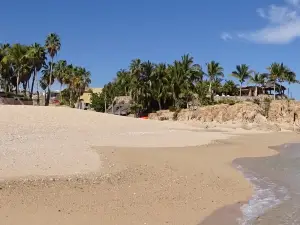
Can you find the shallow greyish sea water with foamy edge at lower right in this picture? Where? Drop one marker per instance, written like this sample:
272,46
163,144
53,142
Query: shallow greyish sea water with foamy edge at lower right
276,182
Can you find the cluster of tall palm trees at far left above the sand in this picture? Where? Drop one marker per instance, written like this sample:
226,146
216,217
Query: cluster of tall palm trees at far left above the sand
24,69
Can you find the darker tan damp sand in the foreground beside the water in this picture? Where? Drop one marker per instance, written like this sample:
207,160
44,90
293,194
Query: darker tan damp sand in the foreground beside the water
183,185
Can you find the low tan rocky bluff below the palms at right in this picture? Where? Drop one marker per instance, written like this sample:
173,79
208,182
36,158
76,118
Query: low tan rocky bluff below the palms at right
272,115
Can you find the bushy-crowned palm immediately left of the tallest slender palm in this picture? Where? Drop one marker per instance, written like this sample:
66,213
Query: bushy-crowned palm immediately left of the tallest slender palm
37,57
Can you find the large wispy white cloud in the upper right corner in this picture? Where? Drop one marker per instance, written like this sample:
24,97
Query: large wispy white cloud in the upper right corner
283,24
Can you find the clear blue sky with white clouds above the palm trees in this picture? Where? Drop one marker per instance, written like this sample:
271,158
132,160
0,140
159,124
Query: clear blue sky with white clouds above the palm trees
105,35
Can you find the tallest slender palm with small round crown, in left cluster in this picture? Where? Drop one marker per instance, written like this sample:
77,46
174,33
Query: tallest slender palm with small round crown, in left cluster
52,45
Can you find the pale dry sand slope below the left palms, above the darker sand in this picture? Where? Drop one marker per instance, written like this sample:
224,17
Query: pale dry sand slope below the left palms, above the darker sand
58,141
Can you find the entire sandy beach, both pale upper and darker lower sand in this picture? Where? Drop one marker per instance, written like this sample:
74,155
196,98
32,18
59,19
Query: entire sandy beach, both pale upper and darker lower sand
67,166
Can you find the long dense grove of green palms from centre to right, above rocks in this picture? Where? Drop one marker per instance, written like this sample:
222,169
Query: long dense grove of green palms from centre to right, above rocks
159,86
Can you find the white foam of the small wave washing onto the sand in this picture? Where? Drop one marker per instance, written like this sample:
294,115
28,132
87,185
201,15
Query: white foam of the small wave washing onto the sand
266,196
